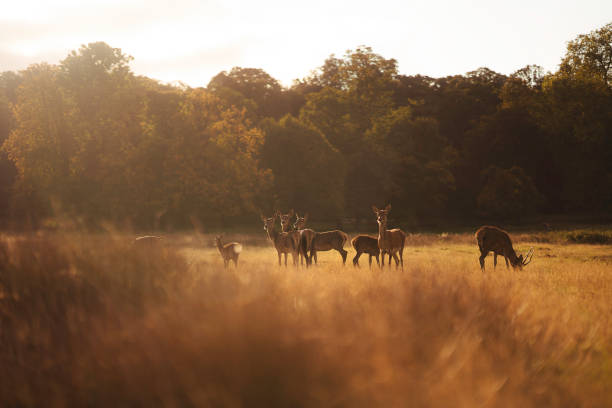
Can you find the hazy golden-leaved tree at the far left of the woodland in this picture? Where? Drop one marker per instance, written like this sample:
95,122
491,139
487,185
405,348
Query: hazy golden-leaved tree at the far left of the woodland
40,145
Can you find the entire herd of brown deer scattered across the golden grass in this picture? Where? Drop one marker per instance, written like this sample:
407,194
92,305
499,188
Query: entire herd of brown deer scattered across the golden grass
303,243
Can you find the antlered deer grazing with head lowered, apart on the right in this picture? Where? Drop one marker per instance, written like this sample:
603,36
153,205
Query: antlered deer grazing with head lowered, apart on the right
497,240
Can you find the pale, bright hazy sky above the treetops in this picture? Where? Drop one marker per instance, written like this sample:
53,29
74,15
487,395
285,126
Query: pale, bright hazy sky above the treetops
191,41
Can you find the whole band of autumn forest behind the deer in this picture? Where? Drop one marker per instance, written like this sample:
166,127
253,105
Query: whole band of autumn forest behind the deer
89,140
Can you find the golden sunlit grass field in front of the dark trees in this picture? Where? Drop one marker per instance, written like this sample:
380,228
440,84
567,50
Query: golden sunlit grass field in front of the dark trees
88,320
